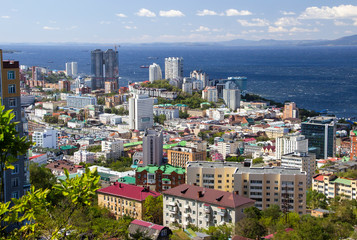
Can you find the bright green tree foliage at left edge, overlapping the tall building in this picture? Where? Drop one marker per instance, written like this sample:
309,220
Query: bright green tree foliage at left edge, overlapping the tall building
11,145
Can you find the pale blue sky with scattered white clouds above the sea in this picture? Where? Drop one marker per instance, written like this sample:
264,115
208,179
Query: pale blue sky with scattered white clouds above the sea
141,21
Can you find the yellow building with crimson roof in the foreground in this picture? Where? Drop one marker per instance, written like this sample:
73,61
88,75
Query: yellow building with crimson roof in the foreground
124,199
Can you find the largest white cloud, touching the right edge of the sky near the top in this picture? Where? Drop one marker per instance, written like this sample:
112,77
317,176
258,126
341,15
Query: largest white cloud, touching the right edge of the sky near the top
325,12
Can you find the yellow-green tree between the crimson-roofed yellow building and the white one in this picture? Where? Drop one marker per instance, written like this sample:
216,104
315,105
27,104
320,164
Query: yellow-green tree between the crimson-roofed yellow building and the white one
153,209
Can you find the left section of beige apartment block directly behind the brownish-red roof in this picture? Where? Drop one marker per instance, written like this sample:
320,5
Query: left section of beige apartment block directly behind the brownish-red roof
215,175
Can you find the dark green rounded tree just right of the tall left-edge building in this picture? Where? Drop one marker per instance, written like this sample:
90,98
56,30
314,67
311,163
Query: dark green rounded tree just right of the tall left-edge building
41,177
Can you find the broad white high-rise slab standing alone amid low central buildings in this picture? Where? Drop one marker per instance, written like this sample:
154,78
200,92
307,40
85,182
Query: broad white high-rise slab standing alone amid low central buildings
141,115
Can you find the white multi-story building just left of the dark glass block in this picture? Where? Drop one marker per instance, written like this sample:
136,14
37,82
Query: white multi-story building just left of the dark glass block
291,143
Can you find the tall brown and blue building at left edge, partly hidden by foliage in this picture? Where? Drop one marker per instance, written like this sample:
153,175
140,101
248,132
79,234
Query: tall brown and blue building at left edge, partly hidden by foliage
17,180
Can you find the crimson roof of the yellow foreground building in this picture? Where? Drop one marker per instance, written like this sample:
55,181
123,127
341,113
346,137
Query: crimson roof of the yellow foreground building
128,191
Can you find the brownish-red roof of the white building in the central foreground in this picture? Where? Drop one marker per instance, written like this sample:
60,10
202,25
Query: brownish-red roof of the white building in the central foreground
210,196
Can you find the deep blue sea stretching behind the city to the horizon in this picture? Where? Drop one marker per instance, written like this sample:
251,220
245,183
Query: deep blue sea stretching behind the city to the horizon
316,78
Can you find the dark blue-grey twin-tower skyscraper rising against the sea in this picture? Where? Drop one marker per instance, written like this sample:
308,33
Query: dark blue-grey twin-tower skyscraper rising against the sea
104,67
